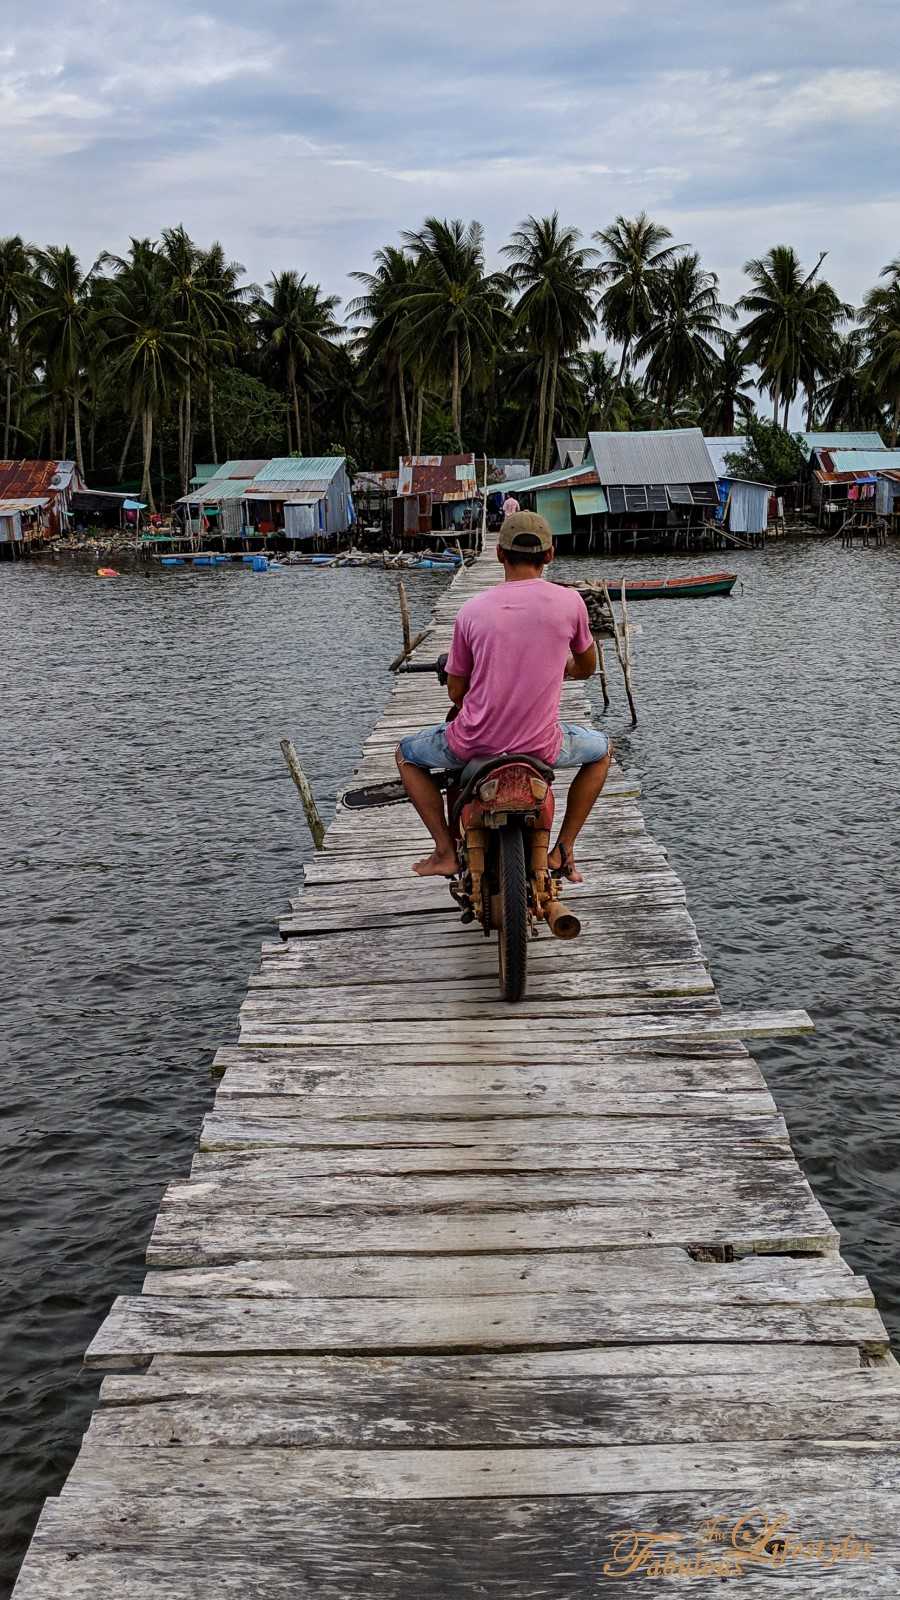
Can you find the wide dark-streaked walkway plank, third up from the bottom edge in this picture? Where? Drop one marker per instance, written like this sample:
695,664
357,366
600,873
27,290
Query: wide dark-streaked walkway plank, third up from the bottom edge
496,1415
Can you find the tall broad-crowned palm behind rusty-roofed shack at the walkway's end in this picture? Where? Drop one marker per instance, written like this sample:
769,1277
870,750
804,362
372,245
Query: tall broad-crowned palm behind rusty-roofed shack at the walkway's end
452,310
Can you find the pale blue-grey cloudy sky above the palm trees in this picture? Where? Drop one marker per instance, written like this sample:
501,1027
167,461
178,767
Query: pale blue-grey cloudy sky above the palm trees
310,135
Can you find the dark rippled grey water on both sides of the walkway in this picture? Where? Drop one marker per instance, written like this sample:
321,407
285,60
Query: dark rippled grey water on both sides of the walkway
151,838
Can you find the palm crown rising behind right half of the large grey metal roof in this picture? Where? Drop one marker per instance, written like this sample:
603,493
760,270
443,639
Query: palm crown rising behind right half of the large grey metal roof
680,346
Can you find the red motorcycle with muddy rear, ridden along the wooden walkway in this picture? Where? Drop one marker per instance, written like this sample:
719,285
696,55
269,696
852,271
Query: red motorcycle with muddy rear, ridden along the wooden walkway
500,810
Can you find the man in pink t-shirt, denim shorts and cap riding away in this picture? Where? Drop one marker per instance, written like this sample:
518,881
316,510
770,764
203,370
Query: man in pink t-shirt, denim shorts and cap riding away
513,646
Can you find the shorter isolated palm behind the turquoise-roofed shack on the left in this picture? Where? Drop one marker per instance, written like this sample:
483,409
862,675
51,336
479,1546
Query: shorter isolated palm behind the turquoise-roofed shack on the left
297,332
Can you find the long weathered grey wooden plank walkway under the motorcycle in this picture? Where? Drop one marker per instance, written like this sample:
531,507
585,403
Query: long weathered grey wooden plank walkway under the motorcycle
465,1300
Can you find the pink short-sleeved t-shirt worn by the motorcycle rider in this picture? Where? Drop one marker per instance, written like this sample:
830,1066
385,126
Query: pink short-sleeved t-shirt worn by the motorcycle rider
512,644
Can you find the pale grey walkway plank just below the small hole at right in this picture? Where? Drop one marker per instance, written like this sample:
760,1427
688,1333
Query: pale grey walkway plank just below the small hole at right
659,1276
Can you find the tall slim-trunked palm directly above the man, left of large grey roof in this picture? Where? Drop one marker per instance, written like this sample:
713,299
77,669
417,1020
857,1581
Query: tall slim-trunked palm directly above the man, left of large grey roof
556,281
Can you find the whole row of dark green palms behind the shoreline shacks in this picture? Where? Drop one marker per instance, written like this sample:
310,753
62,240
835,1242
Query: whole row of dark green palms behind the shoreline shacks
142,364
